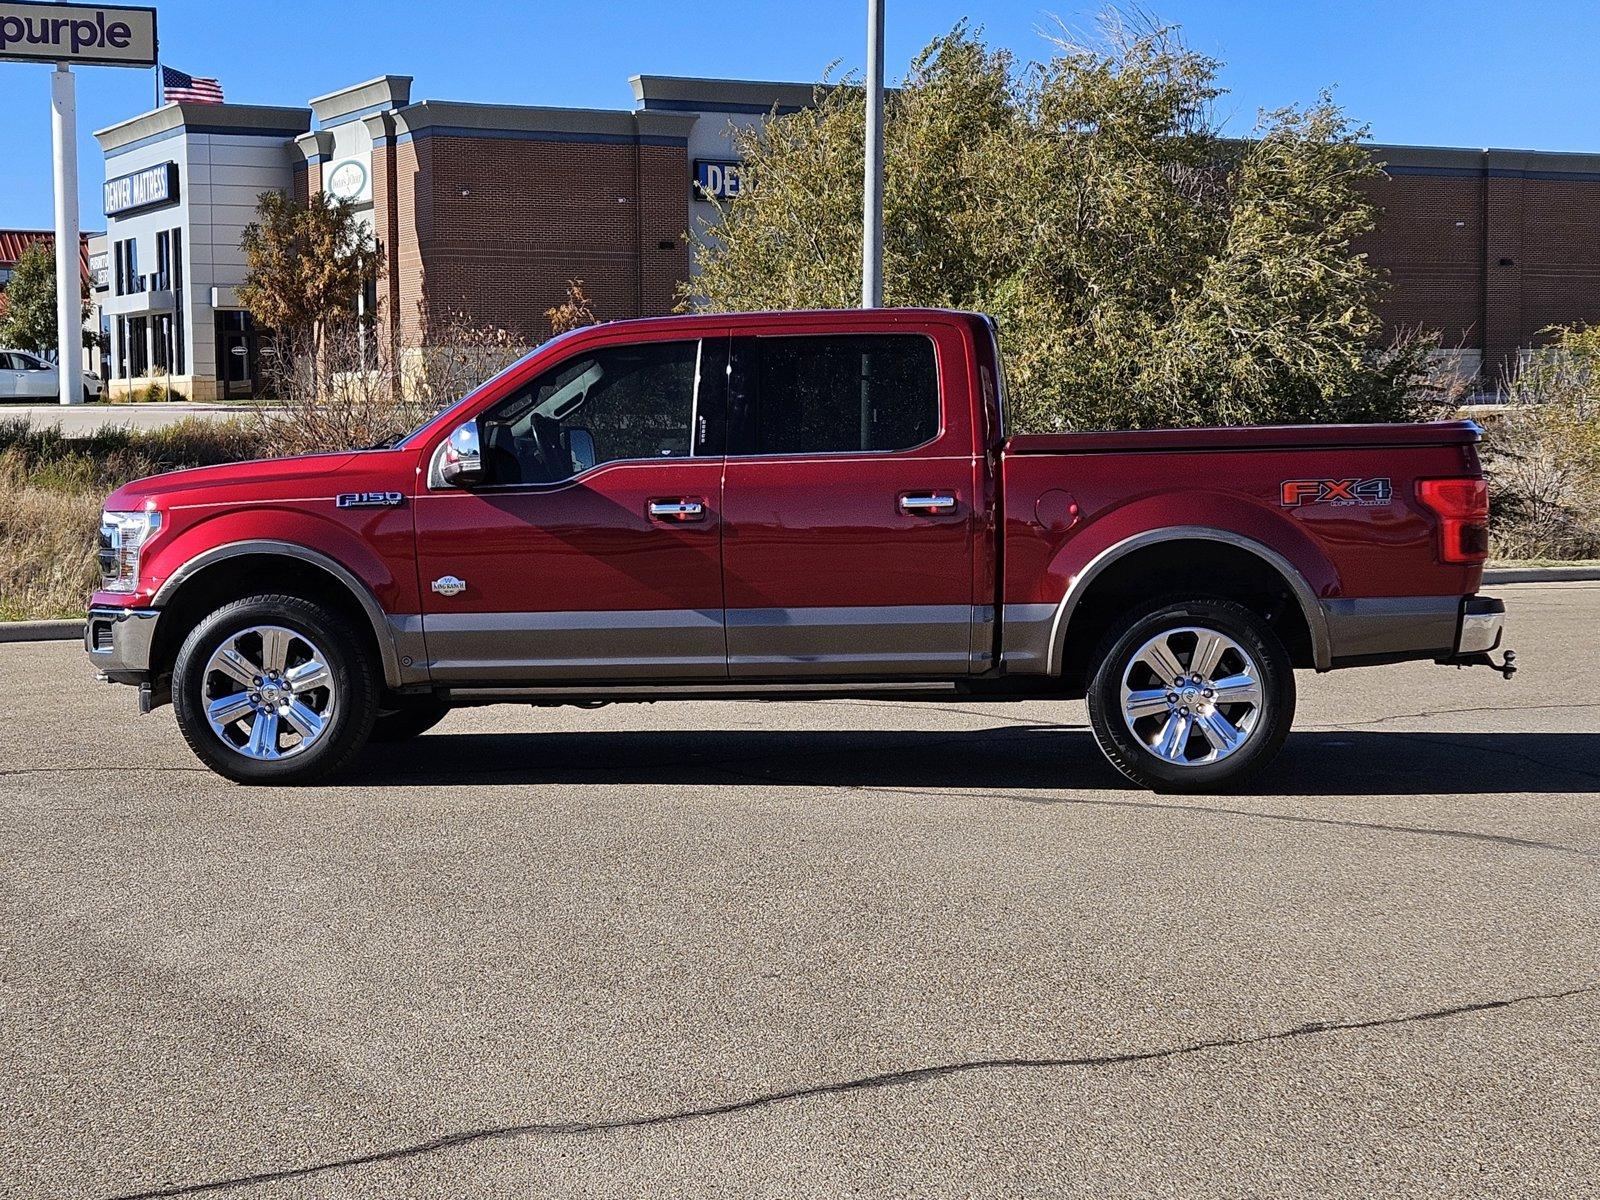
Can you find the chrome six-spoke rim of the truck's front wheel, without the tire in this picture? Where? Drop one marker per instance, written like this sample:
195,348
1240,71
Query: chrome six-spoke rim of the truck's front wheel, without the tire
268,694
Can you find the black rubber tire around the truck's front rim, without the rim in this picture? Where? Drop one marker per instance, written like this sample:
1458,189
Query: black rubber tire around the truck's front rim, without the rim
354,684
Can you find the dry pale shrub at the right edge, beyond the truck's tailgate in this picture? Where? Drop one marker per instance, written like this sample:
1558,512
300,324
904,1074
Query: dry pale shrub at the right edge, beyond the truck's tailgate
1543,455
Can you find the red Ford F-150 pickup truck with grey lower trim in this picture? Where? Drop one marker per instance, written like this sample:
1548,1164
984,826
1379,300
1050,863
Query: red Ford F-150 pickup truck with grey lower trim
788,506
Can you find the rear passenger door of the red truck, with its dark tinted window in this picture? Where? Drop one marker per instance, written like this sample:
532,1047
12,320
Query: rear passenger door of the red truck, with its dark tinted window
849,506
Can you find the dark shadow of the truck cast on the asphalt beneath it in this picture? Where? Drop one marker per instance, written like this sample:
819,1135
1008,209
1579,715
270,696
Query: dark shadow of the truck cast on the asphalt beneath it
1034,759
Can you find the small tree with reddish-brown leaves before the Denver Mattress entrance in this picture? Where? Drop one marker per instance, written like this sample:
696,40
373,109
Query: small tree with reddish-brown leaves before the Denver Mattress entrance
306,263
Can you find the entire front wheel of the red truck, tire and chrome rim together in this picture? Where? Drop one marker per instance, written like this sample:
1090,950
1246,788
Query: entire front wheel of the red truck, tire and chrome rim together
274,690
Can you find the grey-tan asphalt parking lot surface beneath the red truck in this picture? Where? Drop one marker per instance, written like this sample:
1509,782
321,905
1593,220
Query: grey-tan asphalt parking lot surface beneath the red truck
814,951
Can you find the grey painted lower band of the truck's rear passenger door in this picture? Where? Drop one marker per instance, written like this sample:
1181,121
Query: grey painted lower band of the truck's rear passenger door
852,641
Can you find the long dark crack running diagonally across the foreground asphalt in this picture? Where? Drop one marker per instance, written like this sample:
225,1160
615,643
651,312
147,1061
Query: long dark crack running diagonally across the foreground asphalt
894,1079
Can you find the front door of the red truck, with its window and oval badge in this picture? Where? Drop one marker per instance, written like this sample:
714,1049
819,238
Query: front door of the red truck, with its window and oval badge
594,553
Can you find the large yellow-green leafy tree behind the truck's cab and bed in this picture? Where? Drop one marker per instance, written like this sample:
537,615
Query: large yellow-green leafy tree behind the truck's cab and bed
1145,270
